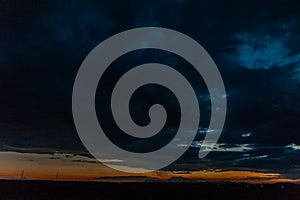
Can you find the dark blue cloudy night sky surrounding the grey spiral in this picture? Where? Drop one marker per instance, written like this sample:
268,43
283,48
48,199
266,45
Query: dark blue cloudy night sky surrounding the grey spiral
255,46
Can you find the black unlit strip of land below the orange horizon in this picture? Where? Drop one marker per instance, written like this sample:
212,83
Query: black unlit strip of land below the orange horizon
10,189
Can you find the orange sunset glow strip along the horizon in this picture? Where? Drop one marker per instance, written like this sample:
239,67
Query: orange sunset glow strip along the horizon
61,167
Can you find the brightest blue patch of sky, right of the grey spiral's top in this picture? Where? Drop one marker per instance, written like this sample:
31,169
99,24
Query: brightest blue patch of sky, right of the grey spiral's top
263,51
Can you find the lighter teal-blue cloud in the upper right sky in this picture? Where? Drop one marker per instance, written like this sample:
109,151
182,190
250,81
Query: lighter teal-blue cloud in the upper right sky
265,50
